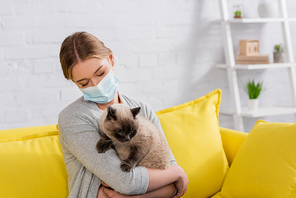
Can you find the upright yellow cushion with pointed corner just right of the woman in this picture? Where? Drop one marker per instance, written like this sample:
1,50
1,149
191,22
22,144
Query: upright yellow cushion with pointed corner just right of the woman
192,131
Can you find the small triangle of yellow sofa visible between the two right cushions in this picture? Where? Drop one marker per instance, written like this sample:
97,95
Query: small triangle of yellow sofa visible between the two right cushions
232,141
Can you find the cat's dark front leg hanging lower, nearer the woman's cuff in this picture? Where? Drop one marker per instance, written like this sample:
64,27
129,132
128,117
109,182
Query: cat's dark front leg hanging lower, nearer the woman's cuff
133,159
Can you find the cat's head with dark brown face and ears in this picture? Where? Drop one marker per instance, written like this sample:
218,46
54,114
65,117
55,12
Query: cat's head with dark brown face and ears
121,123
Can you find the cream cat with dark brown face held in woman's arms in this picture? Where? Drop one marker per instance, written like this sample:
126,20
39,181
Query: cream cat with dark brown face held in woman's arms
136,140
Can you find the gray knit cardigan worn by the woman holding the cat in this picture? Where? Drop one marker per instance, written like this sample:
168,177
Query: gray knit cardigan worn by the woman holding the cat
79,133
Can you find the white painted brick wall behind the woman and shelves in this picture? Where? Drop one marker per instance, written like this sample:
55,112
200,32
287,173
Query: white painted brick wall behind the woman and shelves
166,51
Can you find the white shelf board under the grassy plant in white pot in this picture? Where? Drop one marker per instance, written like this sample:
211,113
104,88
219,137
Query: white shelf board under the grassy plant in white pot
263,111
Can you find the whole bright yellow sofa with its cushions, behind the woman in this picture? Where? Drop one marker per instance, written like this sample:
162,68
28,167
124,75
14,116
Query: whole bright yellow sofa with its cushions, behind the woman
219,162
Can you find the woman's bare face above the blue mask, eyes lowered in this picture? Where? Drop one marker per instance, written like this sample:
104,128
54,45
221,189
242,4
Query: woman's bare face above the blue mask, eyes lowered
92,71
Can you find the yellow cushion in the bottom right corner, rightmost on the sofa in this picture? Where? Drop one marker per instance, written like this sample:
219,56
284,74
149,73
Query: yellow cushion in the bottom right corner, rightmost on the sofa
265,165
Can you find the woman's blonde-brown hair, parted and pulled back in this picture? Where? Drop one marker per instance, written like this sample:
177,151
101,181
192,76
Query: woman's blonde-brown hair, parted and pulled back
79,47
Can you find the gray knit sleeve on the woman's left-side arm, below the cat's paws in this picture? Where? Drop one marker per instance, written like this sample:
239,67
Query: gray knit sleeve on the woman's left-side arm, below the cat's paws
80,137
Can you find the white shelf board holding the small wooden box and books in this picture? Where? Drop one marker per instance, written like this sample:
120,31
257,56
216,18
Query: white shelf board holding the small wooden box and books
259,66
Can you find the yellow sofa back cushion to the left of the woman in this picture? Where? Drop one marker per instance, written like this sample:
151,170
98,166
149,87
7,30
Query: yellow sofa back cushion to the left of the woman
32,166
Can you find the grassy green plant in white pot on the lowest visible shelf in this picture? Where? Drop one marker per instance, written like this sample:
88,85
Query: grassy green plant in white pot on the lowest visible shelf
253,90
